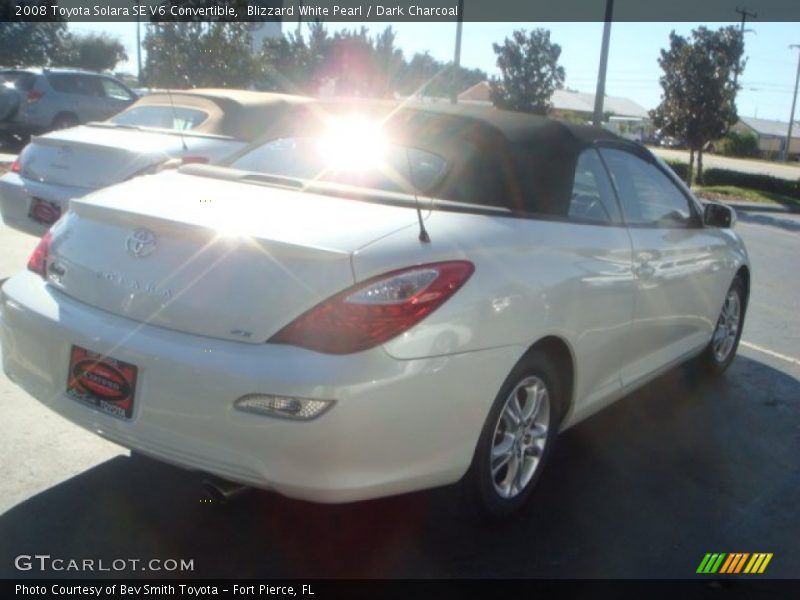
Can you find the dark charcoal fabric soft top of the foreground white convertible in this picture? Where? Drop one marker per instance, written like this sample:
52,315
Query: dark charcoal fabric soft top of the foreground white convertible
521,162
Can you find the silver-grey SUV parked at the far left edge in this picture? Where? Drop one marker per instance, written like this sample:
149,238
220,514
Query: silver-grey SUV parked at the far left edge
34,100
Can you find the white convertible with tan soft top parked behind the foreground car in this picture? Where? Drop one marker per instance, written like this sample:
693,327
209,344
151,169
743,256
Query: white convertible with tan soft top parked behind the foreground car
204,125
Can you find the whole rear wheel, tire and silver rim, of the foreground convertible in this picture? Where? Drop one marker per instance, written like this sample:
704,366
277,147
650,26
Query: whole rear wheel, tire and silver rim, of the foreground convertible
516,439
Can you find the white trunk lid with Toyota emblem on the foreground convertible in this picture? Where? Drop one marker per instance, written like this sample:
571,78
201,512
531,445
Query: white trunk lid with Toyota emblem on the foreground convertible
210,257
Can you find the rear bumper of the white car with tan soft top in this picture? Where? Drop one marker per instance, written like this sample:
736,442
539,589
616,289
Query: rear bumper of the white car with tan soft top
17,193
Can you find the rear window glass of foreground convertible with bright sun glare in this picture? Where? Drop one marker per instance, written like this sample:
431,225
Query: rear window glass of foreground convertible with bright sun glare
388,167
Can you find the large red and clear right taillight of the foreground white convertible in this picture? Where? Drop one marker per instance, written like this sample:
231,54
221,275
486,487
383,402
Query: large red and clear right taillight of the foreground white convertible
377,310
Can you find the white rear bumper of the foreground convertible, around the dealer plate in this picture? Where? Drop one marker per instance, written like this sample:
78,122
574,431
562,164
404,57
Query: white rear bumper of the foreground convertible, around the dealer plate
396,425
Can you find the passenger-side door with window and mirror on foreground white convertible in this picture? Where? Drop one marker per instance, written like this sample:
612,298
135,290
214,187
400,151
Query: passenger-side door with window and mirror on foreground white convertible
679,266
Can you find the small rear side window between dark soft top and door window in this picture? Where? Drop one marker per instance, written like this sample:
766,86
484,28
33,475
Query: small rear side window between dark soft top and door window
592,195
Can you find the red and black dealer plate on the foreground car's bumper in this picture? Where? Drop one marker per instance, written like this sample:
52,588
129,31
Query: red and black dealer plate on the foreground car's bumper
102,381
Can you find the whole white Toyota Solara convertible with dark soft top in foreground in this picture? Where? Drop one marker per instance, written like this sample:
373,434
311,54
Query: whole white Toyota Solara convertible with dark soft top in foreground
376,300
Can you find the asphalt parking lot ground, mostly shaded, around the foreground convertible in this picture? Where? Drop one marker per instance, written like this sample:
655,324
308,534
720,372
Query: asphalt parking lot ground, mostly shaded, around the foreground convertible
644,489
